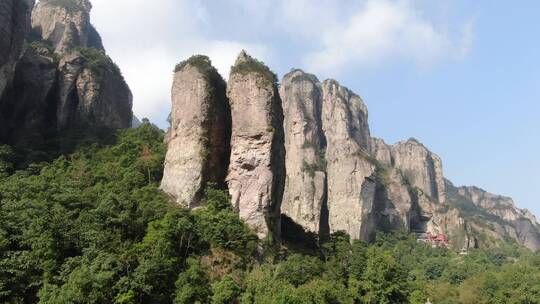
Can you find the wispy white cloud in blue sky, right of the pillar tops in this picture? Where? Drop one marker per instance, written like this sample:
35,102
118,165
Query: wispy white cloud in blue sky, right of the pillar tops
384,30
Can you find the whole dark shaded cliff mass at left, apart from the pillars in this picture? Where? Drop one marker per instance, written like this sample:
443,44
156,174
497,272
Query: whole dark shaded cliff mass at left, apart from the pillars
64,80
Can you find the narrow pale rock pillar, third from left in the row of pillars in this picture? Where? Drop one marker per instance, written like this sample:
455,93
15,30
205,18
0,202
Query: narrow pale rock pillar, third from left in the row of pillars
305,183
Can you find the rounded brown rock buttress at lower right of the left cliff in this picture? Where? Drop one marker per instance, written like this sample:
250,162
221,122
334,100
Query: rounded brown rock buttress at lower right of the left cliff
92,92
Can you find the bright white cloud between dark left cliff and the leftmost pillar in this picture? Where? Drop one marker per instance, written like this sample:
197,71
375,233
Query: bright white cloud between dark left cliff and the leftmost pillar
147,40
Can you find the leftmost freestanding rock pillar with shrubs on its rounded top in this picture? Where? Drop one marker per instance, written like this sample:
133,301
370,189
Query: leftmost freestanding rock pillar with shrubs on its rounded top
198,140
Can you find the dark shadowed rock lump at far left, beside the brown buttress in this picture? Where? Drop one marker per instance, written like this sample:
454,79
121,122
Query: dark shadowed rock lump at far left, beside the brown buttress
30,102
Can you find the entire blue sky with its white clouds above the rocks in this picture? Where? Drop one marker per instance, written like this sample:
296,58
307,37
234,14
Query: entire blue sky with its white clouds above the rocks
461,76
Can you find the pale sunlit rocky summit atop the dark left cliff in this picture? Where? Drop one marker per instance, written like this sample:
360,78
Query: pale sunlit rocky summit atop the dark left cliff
65,24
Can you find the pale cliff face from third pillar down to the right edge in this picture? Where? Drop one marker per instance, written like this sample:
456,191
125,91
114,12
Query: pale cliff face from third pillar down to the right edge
338,178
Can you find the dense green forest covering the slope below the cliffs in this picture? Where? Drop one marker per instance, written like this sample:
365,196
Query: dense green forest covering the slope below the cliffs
92,226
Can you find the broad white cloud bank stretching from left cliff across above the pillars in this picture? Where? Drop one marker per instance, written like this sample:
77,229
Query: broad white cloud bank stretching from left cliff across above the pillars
147,39
